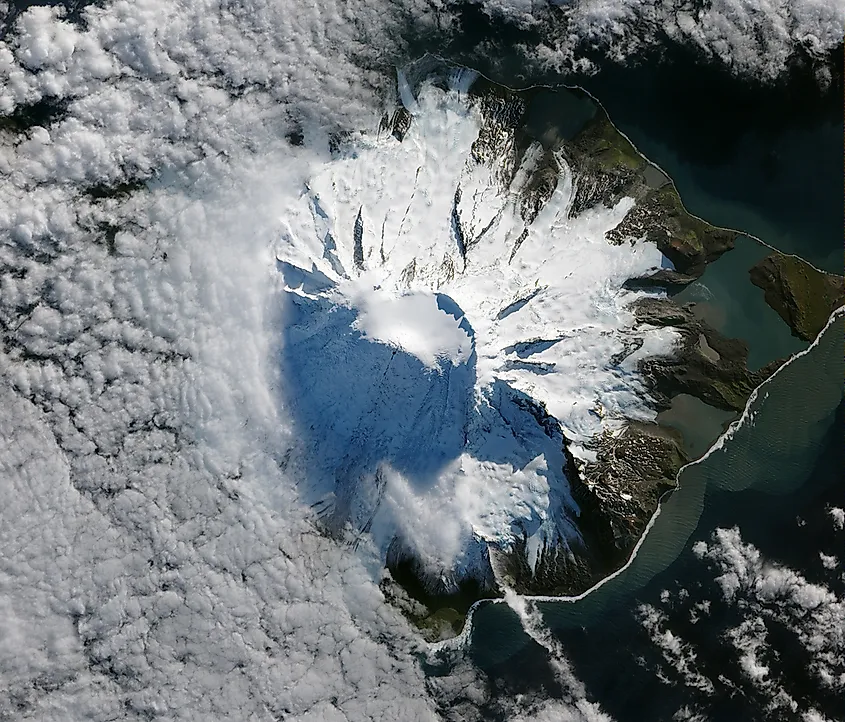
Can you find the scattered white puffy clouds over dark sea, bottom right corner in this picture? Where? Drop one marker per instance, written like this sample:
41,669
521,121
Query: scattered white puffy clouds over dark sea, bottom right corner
764,617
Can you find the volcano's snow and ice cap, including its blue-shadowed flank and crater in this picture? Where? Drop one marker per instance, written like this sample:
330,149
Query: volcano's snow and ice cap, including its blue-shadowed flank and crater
449,328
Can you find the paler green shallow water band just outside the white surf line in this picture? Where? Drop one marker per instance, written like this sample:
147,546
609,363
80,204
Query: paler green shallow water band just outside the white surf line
773,453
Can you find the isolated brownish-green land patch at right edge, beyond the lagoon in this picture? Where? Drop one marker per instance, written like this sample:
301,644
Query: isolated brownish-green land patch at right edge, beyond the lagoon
803,296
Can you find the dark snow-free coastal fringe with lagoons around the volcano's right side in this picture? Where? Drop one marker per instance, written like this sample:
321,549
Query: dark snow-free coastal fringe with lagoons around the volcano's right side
619,476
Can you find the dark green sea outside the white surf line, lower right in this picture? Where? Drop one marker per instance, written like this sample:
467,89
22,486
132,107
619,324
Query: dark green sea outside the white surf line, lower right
773,476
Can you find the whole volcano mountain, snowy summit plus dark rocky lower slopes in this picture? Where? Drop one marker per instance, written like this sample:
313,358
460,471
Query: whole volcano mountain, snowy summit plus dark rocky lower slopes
478,337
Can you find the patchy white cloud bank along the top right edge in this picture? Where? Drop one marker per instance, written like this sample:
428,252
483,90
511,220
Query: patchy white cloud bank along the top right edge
750,37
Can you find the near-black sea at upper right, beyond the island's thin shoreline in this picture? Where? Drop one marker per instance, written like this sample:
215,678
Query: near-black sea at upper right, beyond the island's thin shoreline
767,161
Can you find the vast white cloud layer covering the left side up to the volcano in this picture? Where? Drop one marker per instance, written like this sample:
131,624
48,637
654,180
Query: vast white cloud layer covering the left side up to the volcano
143,572
